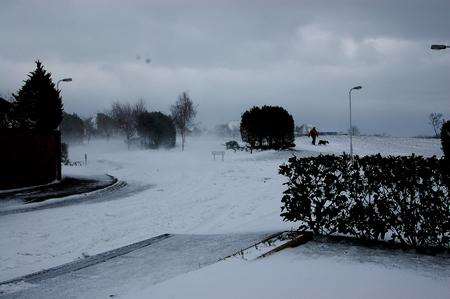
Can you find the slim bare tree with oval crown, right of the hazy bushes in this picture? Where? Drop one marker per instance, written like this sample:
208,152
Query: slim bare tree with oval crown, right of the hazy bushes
183,113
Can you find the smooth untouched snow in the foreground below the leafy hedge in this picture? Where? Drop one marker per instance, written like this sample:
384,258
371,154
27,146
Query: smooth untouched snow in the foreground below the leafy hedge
313,270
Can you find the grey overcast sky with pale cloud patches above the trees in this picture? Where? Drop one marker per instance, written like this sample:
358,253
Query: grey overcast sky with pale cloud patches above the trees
231,55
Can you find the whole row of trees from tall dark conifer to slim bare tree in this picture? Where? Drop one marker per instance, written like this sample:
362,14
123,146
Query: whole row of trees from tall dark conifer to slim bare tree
38,106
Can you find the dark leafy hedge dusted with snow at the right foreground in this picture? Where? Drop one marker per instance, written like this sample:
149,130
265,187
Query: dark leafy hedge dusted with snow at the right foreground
402,199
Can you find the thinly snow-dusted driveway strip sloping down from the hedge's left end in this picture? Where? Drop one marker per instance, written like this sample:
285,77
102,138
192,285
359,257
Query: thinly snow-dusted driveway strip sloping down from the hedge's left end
109,274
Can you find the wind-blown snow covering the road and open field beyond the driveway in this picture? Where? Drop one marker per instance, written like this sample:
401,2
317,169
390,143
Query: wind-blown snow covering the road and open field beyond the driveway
191,193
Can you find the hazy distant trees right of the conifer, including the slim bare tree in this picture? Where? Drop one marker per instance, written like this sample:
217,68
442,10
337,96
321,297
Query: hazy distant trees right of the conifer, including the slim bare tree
138,126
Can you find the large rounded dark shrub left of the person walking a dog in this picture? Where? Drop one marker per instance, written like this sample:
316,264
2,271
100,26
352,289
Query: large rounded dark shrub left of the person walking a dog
269,127
